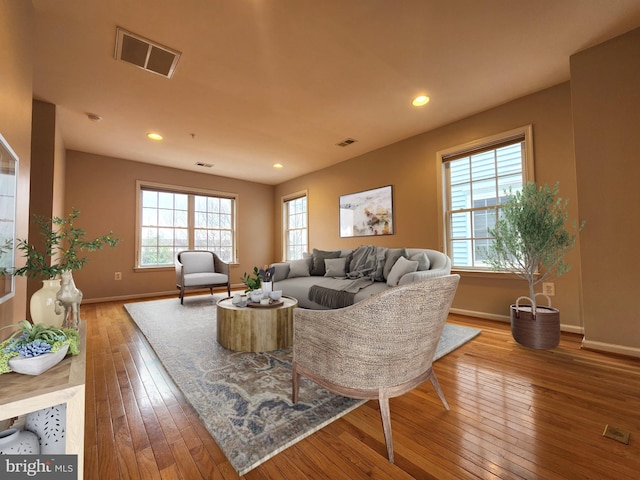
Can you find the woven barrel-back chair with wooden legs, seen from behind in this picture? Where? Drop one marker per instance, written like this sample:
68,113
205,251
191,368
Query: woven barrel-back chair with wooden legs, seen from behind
381,347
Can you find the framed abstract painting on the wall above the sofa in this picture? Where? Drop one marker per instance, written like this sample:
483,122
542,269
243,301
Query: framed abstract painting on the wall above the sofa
367,213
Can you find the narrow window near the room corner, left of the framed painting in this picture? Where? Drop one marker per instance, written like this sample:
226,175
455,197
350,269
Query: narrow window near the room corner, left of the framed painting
296,233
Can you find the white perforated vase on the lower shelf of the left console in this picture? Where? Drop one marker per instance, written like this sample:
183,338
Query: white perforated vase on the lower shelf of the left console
49,425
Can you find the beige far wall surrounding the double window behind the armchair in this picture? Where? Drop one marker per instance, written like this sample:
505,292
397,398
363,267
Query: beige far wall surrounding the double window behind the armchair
104,190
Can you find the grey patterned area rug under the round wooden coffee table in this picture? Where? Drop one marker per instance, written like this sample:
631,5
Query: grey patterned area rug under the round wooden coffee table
244,399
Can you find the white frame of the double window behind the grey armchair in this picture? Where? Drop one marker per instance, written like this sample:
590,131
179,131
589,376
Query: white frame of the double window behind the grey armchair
161,187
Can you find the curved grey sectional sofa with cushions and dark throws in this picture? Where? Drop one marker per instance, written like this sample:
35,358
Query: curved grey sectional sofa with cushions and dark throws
335,278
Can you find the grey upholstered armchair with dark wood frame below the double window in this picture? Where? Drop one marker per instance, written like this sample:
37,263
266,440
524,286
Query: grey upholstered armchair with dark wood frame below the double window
200,269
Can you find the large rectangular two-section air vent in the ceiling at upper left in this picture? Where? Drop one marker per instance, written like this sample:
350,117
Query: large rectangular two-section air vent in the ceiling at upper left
145,54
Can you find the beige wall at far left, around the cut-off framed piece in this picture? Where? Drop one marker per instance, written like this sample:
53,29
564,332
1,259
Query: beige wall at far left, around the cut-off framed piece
16,32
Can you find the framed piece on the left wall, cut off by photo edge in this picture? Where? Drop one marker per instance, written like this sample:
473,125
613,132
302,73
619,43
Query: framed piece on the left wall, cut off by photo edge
8,187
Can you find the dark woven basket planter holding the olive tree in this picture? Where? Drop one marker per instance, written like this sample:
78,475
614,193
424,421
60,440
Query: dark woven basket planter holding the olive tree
541,332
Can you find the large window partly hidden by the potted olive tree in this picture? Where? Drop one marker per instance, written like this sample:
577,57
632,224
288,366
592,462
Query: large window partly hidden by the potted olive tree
476,179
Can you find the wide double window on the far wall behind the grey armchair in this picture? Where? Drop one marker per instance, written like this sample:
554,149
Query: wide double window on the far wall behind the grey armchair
172,219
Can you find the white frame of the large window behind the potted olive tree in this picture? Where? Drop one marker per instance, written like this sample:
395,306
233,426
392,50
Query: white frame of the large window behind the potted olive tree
524,133
